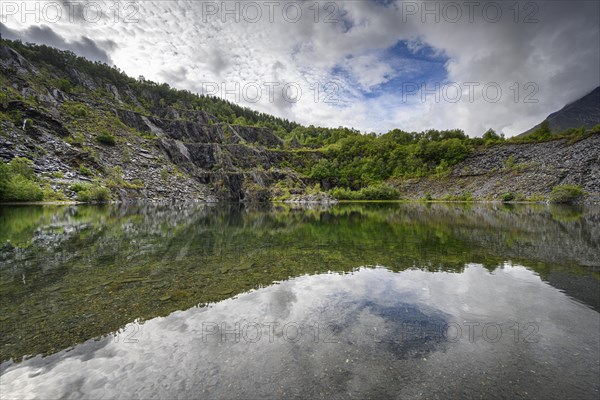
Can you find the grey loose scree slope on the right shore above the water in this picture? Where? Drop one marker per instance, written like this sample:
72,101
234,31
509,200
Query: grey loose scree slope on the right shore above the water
528,170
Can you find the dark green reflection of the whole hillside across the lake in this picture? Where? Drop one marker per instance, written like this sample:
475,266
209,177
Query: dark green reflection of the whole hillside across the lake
90,270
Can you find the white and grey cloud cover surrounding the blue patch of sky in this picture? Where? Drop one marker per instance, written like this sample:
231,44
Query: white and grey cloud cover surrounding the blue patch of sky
181,42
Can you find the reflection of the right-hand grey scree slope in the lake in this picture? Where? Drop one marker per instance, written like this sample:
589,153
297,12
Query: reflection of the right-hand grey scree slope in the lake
557,235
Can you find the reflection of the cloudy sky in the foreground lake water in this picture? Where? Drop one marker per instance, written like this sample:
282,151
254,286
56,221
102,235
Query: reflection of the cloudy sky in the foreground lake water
372,333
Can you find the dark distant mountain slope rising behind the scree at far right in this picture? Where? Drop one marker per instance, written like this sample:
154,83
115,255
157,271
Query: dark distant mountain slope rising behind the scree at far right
585,111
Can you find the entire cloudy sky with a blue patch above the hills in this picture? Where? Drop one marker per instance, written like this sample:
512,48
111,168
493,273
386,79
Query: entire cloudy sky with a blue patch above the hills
372,65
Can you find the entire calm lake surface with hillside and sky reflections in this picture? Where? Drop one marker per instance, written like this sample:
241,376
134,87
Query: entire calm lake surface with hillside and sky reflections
374,300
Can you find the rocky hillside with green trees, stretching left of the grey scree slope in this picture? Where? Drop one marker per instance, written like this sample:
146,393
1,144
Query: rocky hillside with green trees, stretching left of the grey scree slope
87,131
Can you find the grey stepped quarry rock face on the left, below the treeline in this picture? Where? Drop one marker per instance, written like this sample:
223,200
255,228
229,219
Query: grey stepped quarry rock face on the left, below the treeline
171,154
